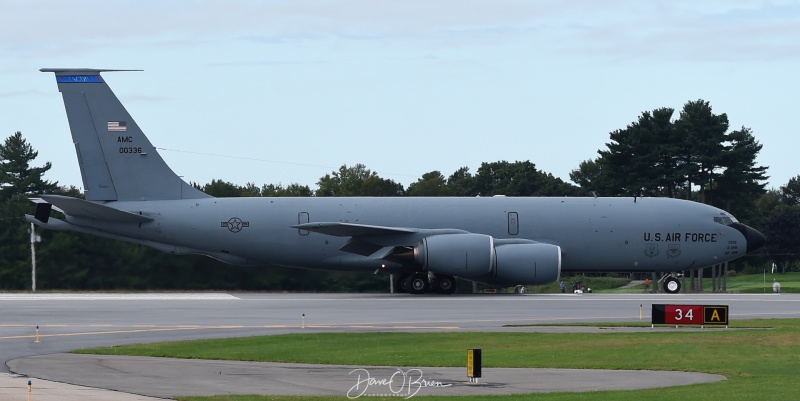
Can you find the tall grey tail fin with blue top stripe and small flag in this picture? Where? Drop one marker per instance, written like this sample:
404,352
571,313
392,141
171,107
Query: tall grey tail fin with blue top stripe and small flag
117,160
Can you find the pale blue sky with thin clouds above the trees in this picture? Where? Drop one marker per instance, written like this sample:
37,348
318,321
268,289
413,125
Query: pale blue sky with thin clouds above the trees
283,92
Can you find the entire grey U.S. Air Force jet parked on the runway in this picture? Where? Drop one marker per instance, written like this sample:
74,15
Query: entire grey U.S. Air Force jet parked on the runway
426,243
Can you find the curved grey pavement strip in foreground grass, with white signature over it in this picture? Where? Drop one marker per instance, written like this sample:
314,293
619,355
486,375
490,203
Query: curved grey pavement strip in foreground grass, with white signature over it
166,377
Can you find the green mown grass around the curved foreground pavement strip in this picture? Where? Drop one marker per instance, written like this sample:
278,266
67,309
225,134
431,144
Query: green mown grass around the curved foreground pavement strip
759,363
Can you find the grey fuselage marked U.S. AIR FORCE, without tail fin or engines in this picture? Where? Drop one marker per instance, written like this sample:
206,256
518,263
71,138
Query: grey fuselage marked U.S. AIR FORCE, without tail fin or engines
595,234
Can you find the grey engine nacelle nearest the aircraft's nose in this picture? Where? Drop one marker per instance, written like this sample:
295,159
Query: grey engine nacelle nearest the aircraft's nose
532,264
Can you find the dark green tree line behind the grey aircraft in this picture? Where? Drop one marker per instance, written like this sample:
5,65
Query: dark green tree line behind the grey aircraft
694,156
